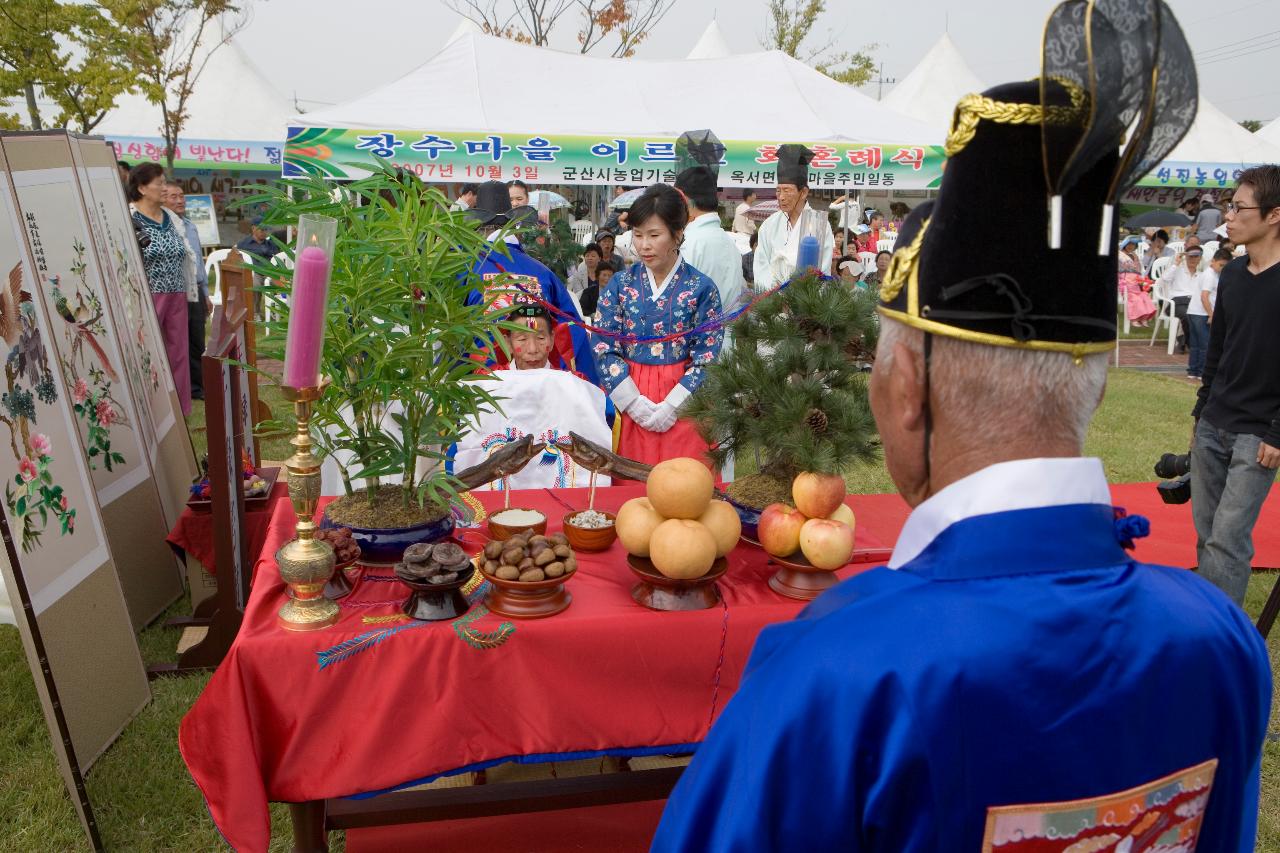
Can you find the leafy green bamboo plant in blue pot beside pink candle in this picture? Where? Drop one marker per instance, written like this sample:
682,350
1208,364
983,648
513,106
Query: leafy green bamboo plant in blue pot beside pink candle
400,329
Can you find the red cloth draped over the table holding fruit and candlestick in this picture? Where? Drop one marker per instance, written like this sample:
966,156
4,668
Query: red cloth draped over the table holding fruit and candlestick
380,701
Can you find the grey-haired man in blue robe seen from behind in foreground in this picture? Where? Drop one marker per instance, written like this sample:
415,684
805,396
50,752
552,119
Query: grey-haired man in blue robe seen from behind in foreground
1013,681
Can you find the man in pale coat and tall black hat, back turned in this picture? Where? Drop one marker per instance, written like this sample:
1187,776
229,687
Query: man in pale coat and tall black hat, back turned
706,247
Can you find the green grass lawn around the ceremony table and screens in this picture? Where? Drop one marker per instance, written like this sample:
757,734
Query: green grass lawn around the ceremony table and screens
145,800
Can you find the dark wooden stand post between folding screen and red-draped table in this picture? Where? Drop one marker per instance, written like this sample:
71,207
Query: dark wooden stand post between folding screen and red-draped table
223,612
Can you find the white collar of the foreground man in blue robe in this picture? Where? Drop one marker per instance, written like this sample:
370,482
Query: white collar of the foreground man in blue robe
1020,485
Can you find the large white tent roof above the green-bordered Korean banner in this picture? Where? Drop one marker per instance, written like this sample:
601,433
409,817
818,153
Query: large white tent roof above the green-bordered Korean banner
469,86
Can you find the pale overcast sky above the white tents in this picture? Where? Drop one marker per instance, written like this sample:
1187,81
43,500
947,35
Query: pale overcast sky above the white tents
333,51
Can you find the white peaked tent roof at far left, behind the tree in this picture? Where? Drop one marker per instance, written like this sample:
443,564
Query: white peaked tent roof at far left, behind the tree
232,103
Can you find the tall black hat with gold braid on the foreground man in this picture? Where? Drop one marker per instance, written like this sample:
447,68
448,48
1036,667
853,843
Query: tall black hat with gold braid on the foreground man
1046,282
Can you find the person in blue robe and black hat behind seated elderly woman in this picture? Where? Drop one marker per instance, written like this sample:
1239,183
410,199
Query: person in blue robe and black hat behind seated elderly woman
492,211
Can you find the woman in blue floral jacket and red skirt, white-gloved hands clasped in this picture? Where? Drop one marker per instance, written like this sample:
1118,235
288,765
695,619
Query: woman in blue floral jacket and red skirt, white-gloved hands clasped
647,372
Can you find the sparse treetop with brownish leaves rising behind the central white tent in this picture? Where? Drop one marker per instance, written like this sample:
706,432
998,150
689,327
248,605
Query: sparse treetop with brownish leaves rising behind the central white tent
532,21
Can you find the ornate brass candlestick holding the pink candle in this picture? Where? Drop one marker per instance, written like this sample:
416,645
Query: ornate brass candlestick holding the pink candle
307,564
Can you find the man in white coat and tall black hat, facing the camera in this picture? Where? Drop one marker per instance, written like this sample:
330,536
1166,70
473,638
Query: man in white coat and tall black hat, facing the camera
780,235
